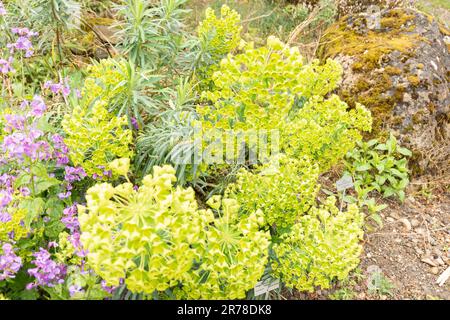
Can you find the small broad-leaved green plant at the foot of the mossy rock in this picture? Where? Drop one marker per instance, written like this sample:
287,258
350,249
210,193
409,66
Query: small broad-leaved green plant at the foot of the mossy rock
379,166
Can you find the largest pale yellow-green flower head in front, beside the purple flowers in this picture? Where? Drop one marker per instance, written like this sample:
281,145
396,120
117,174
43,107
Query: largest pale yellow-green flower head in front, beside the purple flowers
149,237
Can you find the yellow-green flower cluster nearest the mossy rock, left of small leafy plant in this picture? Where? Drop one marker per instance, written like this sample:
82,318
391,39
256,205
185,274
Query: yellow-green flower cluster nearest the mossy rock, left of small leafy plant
325,130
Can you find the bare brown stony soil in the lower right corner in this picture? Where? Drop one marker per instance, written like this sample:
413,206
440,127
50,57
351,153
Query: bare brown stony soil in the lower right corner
412,250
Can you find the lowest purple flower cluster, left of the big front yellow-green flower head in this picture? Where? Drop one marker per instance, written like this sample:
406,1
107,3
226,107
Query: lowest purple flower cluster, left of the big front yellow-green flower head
47,272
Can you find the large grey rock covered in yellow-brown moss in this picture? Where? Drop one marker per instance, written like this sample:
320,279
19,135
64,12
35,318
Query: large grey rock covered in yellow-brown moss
401,72
